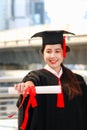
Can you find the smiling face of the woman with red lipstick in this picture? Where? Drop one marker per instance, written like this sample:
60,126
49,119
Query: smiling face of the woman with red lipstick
53,56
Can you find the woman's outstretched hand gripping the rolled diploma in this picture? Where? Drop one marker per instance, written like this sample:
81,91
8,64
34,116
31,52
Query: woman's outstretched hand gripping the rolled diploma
20,87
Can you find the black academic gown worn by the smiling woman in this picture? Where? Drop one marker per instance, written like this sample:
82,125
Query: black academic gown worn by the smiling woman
46,116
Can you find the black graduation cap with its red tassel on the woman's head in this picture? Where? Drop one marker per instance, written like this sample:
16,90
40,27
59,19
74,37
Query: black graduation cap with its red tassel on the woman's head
54,37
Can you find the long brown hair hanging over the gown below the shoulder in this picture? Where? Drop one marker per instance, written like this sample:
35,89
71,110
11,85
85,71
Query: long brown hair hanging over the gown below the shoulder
70,83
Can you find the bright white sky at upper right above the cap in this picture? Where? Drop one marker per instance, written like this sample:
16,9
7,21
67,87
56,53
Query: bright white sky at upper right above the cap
68,13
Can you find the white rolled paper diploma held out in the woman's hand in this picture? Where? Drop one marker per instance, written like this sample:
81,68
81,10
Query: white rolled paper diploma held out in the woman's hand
40,90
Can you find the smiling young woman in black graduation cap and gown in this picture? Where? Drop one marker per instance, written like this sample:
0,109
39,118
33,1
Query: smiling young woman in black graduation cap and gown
65,111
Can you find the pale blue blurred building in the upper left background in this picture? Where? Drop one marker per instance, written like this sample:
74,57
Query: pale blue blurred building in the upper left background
22,13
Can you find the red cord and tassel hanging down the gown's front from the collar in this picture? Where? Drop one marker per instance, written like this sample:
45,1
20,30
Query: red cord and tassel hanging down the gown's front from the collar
60,97
